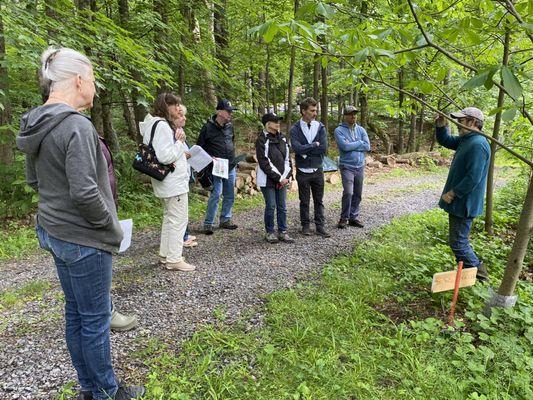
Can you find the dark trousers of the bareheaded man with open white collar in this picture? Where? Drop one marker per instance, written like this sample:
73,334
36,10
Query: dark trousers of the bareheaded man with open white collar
308,184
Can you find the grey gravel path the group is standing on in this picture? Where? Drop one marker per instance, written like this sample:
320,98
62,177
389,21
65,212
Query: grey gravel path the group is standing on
235,270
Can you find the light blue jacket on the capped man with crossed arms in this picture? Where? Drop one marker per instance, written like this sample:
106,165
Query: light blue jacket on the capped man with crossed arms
352,145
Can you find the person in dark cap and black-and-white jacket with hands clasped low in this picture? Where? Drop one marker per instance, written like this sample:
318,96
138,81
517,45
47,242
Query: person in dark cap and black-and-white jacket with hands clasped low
273,176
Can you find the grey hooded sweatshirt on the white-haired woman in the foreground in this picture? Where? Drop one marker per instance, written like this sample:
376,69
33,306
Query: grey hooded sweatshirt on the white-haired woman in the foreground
65,164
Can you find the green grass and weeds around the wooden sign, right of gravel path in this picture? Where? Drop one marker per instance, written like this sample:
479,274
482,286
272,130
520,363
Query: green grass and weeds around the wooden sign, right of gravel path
369,329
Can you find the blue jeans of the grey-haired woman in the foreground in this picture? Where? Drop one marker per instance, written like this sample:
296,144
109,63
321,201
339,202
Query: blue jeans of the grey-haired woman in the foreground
85,276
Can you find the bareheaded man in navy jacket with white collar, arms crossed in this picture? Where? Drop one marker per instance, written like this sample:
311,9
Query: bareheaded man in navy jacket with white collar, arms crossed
309,142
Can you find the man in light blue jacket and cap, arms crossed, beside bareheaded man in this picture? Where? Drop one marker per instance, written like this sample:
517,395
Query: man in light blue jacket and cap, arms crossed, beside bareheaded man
352,141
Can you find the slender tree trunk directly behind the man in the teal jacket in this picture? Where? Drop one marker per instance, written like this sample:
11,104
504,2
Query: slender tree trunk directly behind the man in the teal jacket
493,146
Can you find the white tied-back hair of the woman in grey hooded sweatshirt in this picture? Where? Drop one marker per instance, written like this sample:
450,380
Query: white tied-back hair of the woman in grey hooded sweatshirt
59,65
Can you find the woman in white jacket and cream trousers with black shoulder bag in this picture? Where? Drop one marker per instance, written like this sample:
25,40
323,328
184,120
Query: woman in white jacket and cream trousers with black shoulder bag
169,147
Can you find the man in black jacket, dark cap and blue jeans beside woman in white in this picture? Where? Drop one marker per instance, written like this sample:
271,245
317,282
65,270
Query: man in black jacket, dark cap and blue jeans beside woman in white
217,139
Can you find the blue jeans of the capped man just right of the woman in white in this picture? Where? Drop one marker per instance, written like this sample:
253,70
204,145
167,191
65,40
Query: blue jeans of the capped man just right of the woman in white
222,187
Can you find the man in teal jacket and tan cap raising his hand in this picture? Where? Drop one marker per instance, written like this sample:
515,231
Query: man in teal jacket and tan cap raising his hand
464,191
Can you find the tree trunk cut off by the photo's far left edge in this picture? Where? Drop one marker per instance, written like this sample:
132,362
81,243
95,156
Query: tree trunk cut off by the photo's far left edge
6,135
